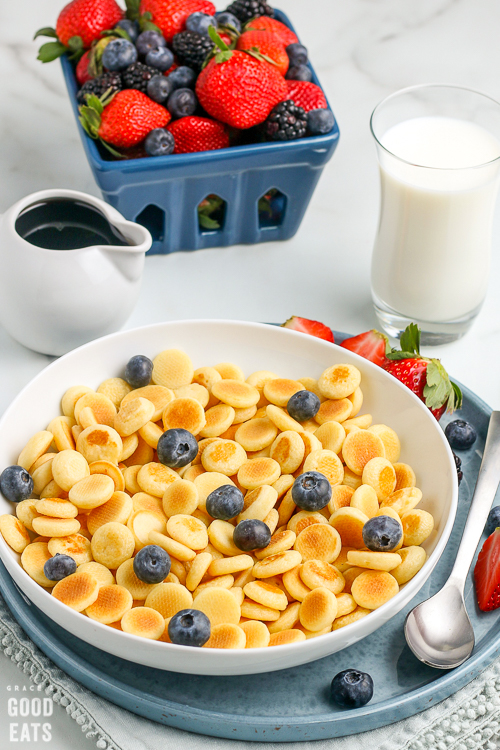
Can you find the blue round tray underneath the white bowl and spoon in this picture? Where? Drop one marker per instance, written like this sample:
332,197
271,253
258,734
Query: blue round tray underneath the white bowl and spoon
292,705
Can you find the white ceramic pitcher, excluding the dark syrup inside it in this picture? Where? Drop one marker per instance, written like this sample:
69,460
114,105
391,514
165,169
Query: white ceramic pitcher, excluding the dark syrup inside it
53,300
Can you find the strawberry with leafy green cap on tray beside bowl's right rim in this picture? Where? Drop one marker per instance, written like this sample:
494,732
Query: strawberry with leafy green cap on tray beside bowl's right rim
426,378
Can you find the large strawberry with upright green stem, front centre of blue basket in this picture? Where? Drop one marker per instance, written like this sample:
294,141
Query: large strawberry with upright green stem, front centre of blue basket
239,88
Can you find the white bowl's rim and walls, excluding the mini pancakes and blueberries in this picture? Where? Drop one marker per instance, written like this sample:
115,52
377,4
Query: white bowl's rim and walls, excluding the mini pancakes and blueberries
253,347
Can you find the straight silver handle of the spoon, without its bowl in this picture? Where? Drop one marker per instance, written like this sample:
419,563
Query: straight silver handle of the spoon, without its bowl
484,494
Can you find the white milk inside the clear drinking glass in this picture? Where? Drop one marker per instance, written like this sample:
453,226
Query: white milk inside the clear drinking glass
431,255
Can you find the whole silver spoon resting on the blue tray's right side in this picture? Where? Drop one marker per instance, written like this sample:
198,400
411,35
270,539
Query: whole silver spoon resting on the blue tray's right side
439,631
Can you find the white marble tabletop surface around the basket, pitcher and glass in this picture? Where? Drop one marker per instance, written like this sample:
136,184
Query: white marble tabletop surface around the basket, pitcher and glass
363,50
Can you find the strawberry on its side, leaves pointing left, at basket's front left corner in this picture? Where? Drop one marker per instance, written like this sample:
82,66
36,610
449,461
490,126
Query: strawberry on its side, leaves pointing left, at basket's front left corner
123,120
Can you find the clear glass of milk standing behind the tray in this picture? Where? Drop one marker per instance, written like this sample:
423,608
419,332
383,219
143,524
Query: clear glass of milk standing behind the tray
438,148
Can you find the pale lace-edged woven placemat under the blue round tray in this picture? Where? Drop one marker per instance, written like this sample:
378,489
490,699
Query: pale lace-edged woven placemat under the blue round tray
469,720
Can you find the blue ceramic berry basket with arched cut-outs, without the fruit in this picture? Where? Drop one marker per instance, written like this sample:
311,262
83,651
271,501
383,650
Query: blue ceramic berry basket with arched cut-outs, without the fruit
163,193
